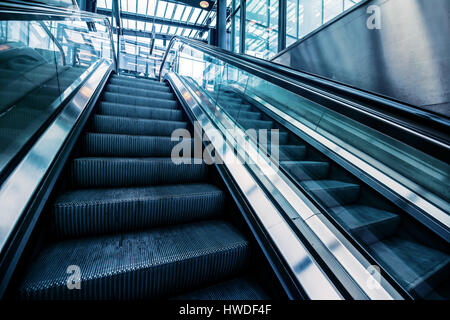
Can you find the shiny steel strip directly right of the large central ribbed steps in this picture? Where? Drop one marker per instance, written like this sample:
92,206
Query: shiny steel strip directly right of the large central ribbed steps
306,270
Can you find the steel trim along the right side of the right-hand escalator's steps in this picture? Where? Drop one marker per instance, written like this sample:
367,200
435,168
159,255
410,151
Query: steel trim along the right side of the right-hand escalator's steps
440,221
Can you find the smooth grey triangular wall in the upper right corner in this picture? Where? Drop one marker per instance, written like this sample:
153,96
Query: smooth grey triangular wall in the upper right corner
407,59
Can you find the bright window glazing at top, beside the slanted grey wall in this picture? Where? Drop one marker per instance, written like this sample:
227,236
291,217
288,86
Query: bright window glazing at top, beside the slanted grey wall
302,18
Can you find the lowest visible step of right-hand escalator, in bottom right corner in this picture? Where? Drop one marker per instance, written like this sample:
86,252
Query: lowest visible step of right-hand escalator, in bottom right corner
418,268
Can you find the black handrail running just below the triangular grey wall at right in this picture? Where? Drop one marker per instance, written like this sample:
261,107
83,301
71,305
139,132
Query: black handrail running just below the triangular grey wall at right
422,130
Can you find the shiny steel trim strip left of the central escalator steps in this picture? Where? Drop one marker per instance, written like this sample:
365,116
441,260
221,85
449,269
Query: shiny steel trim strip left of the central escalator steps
18,189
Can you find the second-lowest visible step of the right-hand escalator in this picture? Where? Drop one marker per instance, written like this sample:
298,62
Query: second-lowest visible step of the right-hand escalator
367,223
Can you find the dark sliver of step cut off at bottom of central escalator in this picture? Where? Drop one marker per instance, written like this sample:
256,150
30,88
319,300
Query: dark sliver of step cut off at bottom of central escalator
235,289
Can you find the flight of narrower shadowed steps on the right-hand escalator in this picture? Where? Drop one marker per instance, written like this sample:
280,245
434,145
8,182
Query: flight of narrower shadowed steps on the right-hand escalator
416,258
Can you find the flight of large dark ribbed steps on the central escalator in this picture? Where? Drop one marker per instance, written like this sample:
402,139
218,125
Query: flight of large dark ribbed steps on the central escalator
136,224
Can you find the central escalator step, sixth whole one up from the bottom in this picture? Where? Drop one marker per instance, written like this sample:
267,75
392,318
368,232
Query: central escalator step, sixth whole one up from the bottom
124,110
